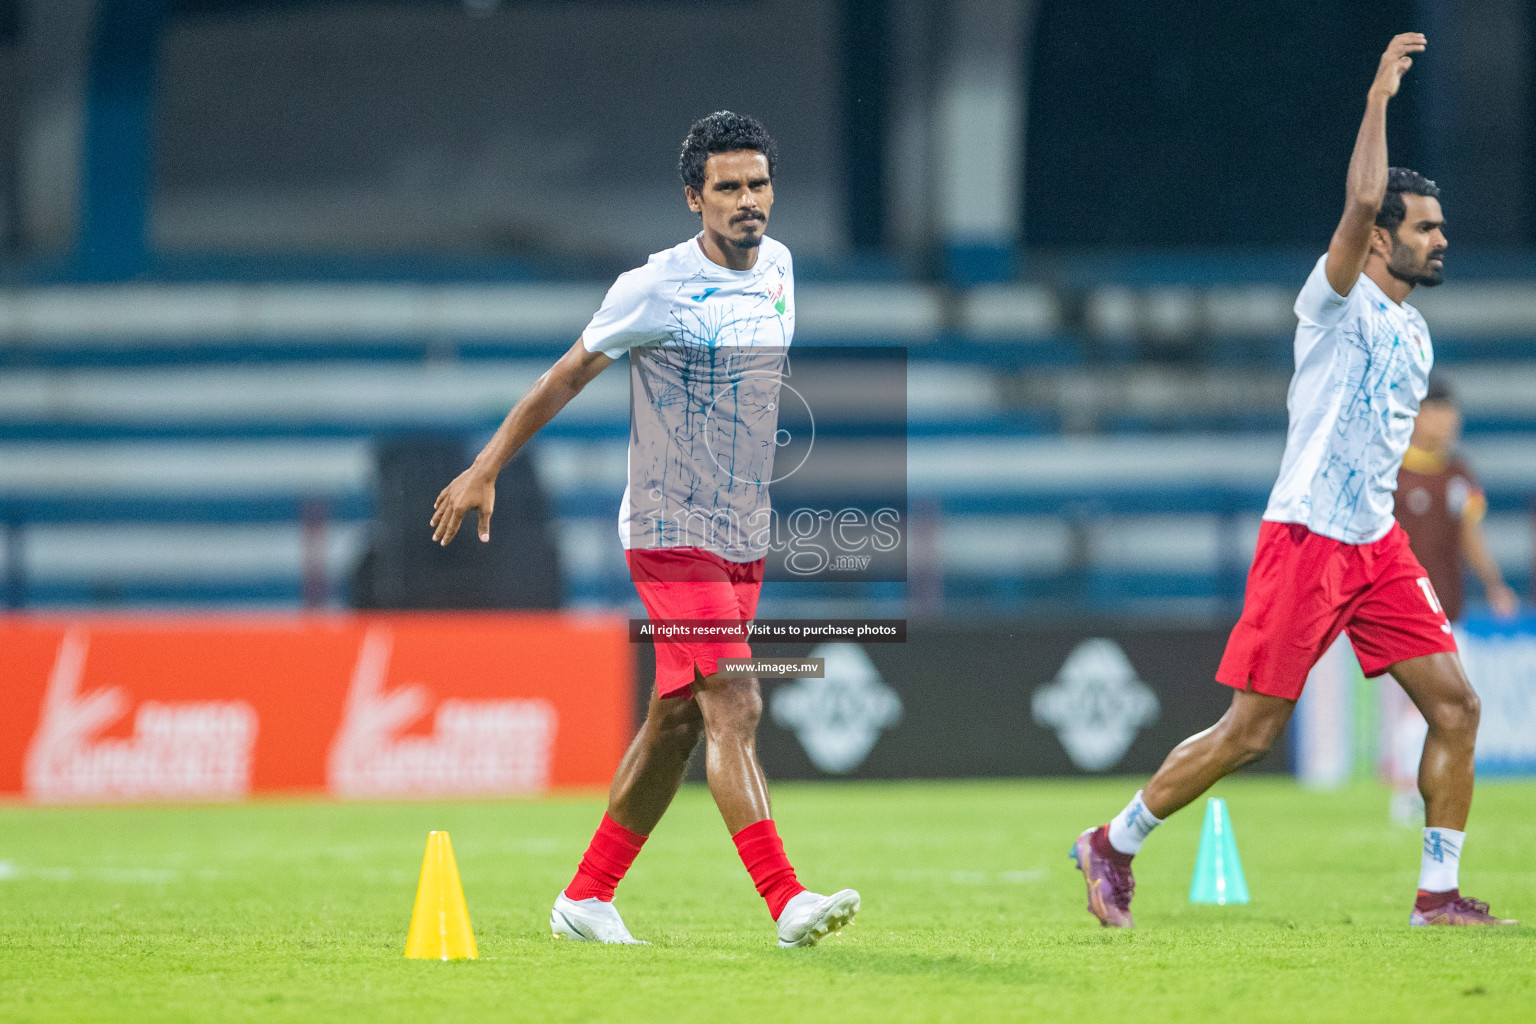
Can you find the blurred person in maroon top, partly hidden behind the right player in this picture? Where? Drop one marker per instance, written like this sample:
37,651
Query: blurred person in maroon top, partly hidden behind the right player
1442,506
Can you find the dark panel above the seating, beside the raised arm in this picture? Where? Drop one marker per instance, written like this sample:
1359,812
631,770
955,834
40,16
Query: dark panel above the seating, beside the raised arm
1203,124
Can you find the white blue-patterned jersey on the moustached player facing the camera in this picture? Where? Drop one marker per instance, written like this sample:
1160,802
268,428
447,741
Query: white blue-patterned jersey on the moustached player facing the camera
707,351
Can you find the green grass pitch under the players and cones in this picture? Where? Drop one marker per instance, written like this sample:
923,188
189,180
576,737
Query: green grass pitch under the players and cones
283,911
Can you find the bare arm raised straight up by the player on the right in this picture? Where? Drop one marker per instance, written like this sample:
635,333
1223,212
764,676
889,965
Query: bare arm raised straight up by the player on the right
1368,167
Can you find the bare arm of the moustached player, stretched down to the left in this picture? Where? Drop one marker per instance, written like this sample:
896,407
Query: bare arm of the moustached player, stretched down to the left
477,486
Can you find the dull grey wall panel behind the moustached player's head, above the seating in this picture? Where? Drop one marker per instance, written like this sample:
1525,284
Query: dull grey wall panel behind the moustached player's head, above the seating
382,127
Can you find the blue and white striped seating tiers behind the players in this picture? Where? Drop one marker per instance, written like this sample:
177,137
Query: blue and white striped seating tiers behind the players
1093,449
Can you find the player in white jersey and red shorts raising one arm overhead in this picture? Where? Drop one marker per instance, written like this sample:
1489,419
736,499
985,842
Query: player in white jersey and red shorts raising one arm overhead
1331,558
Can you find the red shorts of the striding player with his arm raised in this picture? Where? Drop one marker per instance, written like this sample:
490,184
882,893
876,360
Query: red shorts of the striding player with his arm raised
1305,589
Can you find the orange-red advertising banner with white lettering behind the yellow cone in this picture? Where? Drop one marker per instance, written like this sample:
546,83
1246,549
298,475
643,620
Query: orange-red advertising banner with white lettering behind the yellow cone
372,707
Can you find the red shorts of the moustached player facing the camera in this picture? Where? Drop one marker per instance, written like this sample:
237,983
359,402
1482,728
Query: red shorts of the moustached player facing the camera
694,584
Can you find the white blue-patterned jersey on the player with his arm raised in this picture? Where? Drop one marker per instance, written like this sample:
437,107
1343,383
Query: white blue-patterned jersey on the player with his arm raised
1363,366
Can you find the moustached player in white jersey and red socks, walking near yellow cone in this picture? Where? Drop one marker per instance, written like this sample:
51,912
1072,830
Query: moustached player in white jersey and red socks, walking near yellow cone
700,323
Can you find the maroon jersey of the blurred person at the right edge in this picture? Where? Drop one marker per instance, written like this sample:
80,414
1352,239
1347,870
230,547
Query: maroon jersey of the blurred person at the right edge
1435,497
